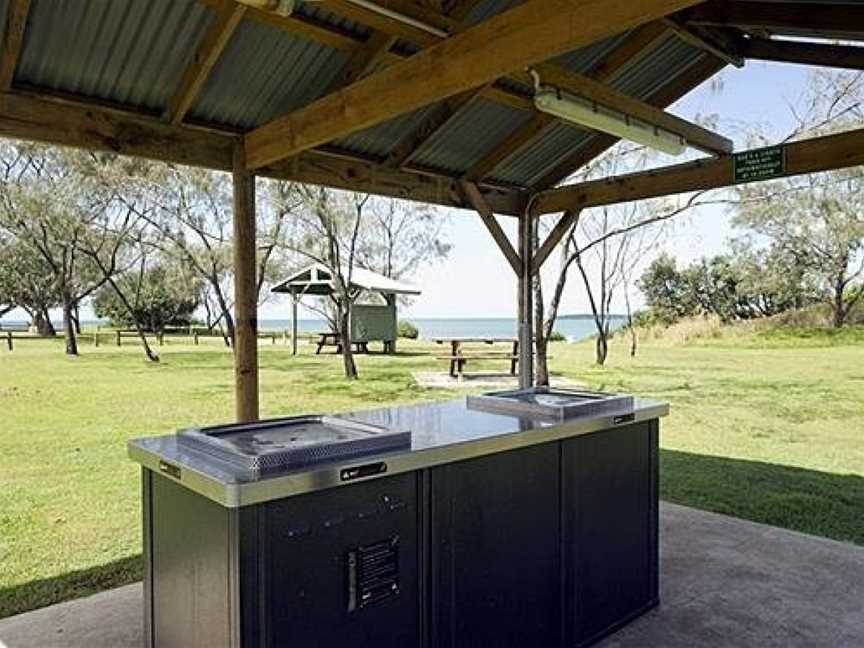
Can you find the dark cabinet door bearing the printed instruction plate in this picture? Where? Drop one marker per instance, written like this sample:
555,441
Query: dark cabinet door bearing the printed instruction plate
340,567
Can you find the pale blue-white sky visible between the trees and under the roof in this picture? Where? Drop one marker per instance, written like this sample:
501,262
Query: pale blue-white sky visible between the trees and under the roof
475,281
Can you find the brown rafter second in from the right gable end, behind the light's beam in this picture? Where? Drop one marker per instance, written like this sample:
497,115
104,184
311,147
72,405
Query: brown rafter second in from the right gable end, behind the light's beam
641,41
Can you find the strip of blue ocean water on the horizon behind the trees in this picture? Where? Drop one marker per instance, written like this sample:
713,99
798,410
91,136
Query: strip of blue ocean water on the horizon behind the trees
573,328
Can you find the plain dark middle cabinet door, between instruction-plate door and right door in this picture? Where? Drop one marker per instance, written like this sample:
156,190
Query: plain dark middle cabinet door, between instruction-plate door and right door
495,550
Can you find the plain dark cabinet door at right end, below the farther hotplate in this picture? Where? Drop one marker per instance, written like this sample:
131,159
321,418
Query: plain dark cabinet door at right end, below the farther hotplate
610,529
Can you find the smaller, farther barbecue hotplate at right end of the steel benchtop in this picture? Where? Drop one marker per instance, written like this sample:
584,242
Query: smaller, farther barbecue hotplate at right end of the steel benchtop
552,402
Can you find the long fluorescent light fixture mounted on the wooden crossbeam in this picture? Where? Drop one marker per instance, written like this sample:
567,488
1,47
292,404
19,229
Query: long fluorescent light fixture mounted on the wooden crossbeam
587,113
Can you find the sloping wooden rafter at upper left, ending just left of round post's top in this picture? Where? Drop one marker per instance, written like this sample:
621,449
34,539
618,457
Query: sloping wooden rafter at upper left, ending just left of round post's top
212,45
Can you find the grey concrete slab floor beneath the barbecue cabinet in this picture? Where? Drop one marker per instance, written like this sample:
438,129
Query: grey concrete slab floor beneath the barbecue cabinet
725,582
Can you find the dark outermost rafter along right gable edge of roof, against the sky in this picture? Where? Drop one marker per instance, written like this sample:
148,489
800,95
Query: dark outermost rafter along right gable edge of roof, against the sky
687,81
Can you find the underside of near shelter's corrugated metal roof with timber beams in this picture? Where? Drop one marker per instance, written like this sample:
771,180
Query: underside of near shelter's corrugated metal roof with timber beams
180,80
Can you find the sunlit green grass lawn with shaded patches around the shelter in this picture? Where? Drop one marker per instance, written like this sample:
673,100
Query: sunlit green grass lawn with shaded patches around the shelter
767,427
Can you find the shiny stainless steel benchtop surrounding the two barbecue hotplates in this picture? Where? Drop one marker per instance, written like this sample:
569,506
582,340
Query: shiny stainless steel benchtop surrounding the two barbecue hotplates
442,433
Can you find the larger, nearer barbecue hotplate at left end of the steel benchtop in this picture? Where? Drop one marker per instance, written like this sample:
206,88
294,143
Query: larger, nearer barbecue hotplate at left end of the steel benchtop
282,444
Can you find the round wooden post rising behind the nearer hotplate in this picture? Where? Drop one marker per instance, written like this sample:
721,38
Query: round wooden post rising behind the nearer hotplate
245,288
